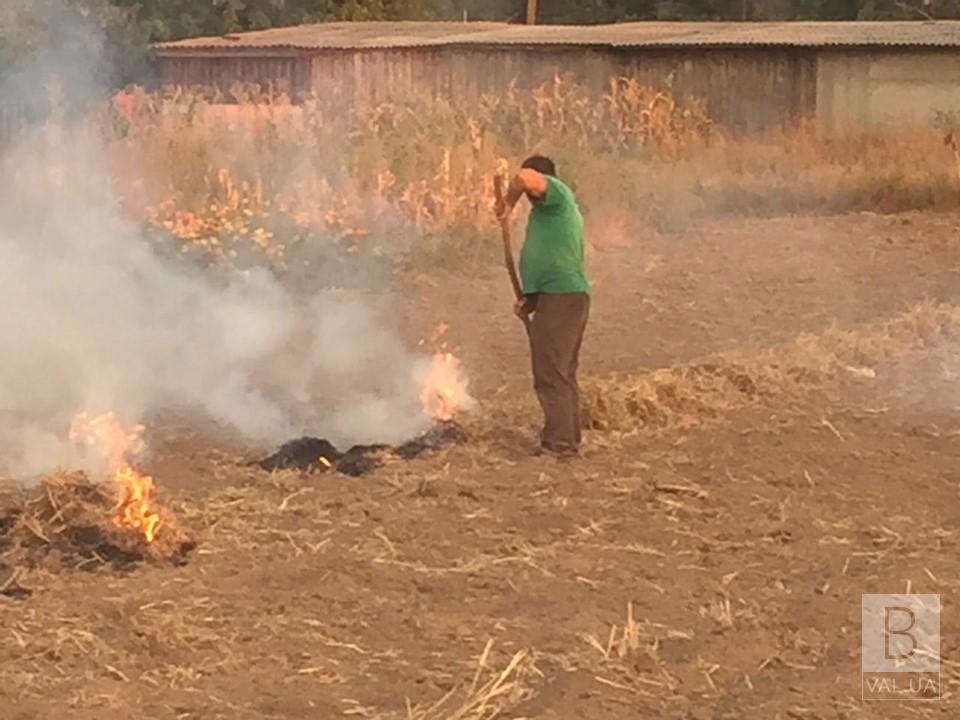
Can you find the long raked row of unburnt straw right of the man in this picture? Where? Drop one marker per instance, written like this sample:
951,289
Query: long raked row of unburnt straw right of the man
685,396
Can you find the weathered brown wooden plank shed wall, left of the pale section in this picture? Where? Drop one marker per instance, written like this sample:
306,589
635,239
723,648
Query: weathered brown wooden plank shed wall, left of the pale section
745,90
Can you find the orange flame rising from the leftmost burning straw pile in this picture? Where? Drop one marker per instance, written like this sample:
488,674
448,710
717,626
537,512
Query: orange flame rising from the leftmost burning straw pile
135,507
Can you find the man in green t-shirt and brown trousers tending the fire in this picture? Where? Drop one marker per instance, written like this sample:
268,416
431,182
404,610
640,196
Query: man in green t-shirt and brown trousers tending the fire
557,295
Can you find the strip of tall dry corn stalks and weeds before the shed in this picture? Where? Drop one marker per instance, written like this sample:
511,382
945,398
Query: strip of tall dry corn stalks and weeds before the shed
263,179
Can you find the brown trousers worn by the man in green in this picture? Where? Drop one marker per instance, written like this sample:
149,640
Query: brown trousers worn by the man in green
556,333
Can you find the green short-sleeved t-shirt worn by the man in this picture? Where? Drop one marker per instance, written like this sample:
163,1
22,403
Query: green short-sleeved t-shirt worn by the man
552,259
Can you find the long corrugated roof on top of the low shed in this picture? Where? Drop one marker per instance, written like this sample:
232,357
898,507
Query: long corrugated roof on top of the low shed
942,33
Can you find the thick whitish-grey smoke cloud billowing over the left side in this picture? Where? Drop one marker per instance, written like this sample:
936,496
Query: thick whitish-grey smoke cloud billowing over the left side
93,319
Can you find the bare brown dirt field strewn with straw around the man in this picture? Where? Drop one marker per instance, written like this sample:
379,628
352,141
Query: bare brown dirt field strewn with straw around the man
783,436
